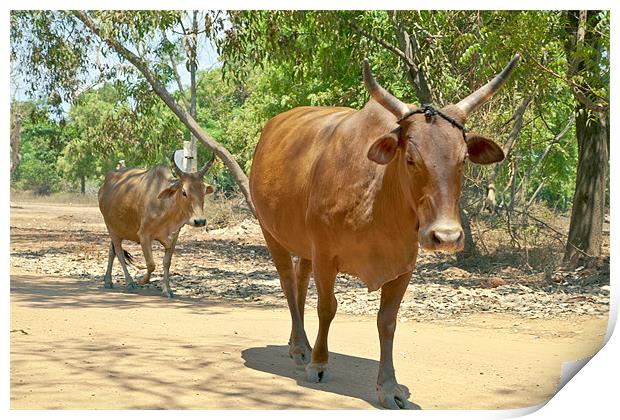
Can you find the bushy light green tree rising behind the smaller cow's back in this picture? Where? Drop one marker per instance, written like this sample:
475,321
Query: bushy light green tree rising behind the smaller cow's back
104,126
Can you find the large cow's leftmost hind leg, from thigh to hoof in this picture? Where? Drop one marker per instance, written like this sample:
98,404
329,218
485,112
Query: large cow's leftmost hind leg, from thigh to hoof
299,347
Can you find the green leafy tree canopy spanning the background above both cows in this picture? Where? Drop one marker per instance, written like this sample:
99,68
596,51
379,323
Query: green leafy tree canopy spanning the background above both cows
275,60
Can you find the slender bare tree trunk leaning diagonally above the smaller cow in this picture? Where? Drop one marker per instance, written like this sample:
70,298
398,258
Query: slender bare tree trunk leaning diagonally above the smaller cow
209,142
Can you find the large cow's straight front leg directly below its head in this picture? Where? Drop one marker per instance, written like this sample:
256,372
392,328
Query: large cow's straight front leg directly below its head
391,394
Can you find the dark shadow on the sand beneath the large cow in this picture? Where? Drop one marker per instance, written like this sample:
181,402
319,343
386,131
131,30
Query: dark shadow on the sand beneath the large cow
348,375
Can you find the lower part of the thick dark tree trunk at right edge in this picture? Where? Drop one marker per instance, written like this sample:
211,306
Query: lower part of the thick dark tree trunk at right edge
588,212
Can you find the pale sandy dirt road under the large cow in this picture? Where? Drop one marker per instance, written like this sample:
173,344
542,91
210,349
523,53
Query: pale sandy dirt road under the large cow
75,345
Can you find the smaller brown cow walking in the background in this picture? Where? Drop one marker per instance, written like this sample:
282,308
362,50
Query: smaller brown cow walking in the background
145,205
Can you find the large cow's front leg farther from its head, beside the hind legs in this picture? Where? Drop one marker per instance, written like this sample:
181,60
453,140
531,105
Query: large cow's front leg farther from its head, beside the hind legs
325,272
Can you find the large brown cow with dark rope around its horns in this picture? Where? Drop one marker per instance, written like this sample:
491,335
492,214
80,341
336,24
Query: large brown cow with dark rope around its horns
356,191
